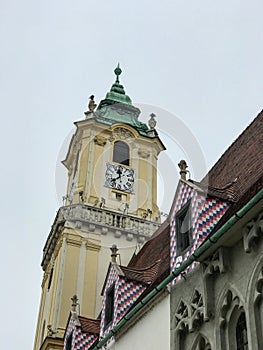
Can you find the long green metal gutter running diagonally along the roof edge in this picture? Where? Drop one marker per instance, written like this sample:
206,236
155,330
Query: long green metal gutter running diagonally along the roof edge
207,244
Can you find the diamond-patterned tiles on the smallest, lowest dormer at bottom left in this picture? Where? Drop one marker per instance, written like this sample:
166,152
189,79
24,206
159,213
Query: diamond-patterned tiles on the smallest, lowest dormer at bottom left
80,340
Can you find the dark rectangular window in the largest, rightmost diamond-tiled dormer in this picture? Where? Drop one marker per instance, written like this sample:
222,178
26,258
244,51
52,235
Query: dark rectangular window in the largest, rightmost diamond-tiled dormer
184,229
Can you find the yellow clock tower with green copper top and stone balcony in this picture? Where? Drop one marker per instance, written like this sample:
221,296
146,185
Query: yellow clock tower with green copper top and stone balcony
111,198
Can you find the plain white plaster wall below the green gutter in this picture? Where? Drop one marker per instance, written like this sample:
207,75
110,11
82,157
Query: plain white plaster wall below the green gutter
151,332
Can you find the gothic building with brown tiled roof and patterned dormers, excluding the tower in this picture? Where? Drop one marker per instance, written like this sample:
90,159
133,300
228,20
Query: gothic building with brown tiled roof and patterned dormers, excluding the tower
203,266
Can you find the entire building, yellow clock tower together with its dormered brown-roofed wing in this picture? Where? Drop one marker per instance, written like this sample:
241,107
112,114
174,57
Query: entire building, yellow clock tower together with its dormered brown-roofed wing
196,284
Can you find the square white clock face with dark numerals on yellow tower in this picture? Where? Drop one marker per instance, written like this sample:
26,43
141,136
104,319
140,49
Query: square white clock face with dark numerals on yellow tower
119,177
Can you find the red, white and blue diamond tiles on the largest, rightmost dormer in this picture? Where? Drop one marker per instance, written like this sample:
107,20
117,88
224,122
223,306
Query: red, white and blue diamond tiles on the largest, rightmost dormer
206,212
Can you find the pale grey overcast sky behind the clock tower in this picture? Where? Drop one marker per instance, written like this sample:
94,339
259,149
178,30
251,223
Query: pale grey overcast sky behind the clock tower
196,64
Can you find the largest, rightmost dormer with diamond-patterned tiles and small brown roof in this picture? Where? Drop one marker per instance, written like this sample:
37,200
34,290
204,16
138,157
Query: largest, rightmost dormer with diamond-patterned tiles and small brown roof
196,210
